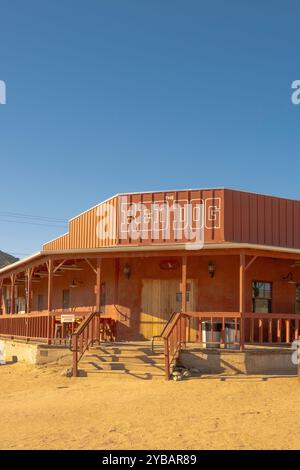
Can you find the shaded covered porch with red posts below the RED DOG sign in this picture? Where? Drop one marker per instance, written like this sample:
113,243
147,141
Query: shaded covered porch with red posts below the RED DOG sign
135,295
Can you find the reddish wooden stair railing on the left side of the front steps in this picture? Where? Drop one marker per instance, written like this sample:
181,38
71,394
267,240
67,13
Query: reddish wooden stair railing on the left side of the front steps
93,329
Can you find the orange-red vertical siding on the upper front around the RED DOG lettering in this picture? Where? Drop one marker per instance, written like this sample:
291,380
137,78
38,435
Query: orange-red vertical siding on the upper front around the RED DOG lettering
238,217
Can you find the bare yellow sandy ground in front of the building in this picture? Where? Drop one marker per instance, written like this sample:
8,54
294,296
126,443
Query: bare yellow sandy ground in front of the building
41,409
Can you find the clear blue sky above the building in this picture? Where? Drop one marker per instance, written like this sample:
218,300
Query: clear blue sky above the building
107,96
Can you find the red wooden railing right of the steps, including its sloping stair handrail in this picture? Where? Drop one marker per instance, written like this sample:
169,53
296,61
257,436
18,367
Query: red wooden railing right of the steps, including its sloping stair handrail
258,329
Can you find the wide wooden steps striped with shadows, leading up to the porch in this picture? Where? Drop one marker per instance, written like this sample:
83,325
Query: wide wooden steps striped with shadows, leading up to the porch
128,359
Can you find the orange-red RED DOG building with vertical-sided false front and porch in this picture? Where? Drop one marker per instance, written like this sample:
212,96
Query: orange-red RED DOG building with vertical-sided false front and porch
129,259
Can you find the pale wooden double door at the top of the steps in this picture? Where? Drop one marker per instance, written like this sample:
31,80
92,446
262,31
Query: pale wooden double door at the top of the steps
160,298
